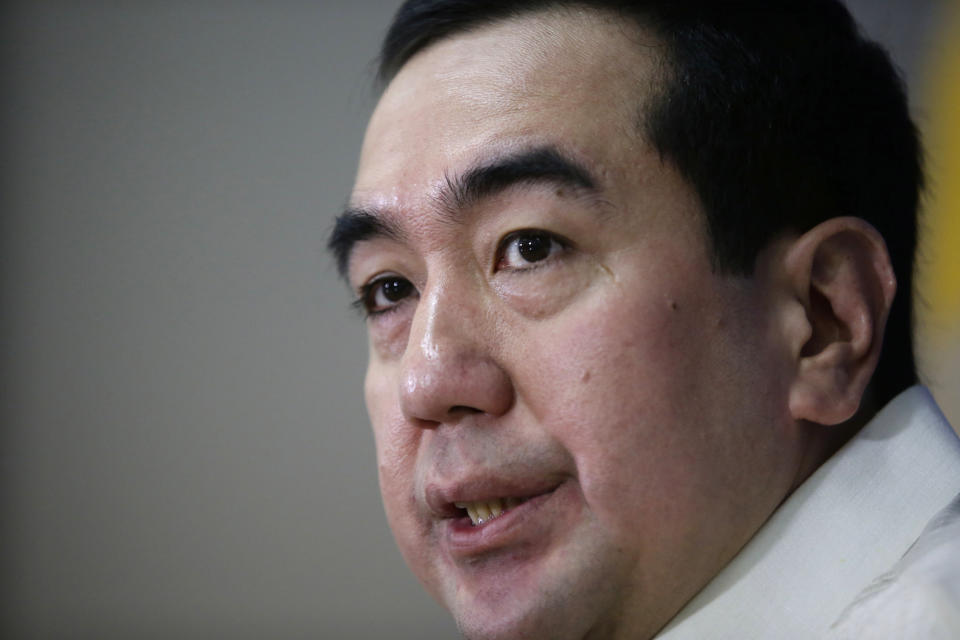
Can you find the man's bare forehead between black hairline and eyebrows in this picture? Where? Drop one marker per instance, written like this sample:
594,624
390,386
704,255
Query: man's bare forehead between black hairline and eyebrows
573,79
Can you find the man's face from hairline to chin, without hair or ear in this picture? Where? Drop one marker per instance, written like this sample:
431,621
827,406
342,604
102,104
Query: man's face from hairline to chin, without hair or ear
548,339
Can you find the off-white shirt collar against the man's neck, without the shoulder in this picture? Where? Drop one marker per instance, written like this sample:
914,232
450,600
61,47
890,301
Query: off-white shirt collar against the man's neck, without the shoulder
848,523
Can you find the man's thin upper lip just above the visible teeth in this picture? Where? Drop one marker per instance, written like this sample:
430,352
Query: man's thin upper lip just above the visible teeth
442,496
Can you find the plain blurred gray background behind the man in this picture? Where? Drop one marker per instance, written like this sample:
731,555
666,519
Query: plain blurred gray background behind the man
185,452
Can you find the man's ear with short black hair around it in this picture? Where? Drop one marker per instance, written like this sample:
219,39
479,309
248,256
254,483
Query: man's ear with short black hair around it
840,272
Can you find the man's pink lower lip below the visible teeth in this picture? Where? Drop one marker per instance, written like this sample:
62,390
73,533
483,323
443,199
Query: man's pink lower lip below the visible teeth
527,522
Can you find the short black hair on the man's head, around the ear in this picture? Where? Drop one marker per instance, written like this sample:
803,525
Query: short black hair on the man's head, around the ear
779,113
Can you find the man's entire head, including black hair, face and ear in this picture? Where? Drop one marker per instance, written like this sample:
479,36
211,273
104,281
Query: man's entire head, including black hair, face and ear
610,296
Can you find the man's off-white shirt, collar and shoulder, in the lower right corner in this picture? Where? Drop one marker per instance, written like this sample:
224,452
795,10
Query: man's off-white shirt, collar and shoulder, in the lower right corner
809,572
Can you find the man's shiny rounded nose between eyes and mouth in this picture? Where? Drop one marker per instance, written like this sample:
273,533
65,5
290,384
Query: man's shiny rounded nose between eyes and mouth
448,369
